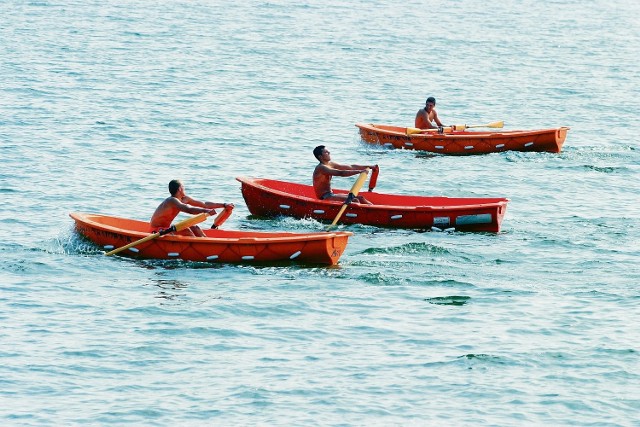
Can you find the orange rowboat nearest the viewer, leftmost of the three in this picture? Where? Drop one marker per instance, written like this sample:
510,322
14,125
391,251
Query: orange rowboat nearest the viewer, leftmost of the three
220,246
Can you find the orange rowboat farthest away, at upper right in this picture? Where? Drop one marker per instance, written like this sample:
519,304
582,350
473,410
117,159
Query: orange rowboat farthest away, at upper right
465,142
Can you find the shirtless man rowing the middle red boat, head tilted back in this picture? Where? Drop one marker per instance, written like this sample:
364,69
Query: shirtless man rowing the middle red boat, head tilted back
327,169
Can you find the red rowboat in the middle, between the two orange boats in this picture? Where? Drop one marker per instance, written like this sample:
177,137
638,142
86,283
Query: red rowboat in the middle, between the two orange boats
267,197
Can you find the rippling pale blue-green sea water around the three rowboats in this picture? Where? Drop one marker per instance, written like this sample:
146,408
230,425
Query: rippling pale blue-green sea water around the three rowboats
102,103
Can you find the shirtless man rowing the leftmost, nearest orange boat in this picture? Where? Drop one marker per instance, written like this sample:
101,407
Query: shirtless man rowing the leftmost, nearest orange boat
180,202
